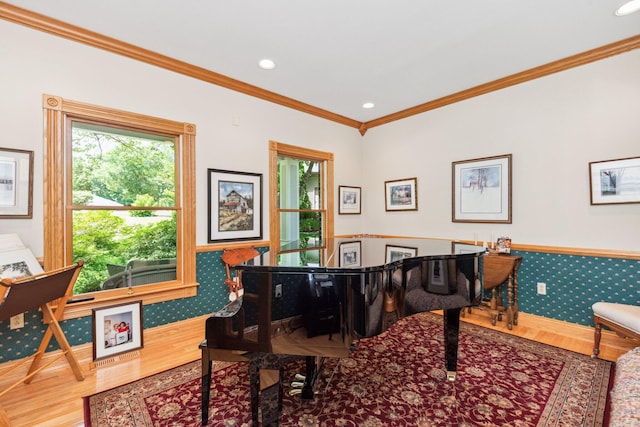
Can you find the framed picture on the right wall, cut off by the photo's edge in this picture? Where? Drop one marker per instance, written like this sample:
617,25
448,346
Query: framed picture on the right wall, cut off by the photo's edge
615,181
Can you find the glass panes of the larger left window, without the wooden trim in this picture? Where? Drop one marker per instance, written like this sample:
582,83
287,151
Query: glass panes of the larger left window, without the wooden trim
123,206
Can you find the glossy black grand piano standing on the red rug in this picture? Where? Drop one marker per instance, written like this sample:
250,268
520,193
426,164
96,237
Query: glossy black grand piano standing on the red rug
317,304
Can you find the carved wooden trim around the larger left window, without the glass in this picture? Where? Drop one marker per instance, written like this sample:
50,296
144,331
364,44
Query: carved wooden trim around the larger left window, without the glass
56,255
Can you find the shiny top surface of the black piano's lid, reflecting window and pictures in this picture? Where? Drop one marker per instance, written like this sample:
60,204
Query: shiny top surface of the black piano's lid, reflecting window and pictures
359,253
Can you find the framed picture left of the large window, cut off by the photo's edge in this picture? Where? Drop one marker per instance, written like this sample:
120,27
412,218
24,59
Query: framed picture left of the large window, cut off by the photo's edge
16,183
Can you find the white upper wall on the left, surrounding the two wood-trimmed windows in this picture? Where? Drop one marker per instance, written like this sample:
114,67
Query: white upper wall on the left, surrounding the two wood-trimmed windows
33,63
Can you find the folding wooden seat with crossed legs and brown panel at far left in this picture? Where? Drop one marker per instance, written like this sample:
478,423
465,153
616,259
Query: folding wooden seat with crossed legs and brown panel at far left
43,291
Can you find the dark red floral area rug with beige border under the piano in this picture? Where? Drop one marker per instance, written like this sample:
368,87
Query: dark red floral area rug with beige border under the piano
394,379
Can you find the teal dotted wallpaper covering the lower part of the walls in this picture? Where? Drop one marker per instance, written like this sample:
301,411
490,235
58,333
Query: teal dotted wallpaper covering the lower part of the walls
574,283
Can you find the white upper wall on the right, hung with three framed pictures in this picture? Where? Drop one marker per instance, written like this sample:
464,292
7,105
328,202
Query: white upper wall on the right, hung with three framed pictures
553,127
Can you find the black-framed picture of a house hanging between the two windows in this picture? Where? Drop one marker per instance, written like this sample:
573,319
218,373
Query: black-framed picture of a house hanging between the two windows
235,205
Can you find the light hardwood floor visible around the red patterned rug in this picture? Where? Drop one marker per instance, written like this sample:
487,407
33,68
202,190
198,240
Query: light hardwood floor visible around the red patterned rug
54,397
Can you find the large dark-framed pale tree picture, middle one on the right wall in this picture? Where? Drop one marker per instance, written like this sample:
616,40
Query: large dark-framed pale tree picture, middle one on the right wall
482,190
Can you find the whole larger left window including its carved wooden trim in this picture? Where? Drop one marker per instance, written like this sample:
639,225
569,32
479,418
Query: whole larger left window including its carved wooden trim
118,188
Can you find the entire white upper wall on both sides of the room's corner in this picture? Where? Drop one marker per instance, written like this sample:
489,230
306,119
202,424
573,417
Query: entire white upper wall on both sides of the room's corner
553,126
